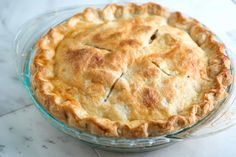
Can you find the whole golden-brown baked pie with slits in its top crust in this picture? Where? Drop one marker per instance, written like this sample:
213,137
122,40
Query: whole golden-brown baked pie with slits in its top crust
130,71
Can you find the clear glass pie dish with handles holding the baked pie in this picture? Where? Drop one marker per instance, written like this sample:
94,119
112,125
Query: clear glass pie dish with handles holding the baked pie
221,118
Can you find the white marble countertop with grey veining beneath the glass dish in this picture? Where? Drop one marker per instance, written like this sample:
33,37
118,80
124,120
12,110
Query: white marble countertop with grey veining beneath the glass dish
23,132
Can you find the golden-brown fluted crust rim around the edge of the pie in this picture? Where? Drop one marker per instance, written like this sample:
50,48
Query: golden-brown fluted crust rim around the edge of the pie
68,113
